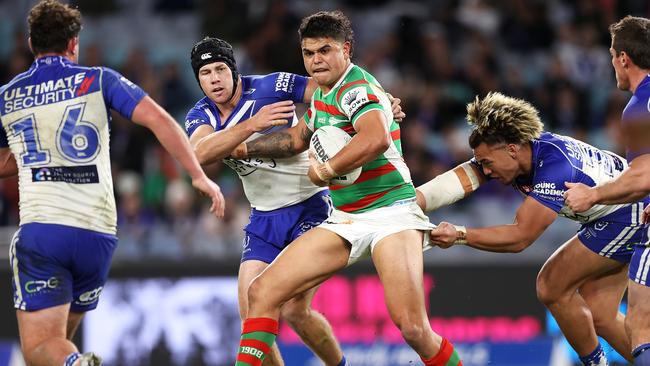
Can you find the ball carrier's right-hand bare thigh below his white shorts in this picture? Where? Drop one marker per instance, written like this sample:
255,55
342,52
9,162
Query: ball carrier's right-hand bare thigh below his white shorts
398,259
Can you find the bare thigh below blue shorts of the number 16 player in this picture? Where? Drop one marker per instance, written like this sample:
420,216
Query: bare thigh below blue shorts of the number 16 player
40,325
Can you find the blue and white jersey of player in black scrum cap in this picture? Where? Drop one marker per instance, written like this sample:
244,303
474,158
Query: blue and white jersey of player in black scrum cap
269,184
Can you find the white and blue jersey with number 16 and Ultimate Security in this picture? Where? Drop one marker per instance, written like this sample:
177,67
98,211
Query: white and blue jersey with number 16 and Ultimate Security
55,118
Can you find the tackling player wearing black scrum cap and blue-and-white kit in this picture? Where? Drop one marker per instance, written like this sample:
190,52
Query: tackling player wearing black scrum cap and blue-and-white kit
285,203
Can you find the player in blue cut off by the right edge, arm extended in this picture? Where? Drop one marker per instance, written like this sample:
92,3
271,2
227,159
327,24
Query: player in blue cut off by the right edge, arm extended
630,51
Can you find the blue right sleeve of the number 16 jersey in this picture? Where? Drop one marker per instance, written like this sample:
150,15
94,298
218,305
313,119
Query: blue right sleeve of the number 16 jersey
120,93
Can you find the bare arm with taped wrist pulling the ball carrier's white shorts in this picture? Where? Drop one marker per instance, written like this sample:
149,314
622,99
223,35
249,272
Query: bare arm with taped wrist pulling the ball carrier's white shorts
530,222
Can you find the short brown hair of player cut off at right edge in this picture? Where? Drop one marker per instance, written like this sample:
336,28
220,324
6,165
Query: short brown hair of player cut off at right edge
632,36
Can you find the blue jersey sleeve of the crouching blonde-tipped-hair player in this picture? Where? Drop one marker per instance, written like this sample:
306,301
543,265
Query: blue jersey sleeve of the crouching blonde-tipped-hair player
548,182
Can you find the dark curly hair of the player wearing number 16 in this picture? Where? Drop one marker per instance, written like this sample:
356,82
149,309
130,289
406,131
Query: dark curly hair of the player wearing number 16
52,25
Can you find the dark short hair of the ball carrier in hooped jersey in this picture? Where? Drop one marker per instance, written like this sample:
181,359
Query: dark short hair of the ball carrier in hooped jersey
332,24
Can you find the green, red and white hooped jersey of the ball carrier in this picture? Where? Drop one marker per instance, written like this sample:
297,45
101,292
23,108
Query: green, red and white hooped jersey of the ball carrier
384,180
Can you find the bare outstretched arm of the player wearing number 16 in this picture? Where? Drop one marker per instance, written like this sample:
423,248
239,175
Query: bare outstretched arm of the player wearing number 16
150,115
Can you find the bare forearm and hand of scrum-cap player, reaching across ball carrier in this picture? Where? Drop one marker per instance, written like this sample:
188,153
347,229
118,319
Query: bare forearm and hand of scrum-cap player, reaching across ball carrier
211,146
